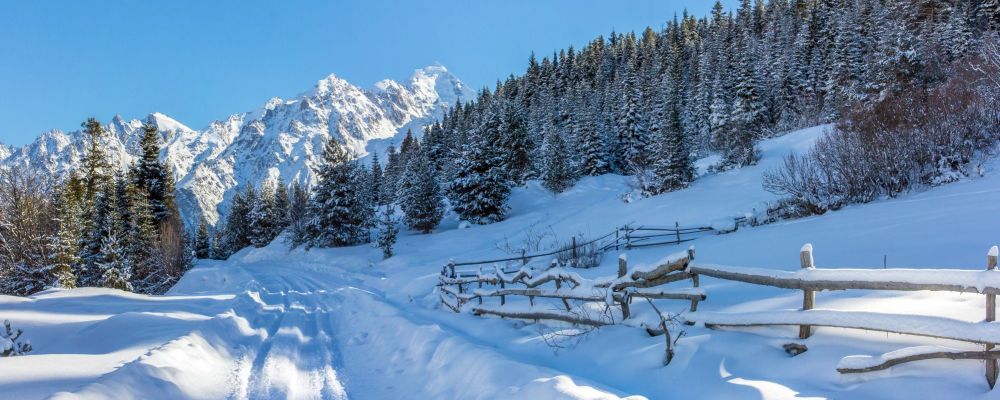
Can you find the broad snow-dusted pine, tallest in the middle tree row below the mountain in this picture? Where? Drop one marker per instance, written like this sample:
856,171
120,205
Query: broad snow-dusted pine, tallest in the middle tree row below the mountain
338,214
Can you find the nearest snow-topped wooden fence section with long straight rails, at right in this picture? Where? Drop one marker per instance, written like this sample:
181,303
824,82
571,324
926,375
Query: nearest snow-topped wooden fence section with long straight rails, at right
810,280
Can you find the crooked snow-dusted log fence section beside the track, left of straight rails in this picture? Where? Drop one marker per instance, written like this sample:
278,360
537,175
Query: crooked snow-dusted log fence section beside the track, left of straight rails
455,291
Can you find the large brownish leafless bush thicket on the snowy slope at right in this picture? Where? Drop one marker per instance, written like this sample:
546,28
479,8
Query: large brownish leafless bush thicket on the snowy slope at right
911,137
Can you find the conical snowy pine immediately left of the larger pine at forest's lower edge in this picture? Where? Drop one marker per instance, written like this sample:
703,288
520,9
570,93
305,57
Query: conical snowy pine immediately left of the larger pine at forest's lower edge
420,196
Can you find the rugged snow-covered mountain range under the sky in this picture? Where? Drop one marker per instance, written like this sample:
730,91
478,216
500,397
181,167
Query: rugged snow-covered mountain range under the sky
283,138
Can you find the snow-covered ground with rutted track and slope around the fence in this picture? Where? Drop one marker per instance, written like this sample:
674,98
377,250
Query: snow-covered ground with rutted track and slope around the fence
342,323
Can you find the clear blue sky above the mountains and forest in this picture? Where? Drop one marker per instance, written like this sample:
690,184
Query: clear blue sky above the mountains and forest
197,61
